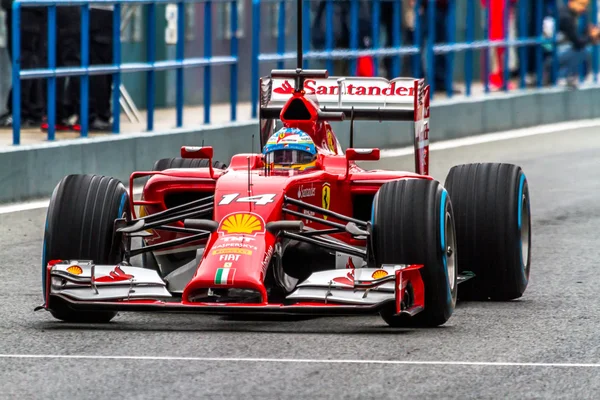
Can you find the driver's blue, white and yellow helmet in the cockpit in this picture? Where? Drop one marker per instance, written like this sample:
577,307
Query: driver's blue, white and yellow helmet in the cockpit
290,149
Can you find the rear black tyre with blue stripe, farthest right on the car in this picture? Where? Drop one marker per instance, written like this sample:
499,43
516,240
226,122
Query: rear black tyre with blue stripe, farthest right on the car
493,226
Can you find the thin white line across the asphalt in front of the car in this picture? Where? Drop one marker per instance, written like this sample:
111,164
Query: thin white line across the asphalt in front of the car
302,361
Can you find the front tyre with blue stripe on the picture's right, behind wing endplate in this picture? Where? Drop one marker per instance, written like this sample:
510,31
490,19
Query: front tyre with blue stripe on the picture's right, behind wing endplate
413,223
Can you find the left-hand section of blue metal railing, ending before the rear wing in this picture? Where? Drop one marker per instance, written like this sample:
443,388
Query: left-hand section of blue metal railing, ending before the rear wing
52,72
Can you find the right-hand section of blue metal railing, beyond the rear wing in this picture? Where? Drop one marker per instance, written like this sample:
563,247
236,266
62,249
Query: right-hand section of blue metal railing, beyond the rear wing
423,43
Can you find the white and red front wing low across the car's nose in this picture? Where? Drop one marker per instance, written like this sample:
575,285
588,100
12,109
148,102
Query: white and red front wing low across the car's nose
84,286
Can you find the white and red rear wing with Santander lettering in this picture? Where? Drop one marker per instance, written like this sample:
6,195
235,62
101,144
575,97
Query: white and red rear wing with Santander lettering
357,98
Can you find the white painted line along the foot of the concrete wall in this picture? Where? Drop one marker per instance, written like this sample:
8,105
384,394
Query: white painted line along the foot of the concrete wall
405,151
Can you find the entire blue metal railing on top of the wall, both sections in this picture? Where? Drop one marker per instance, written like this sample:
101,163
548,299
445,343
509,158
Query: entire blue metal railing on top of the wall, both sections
427,48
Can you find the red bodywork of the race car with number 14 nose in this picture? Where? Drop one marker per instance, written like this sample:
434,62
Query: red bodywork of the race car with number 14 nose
247,197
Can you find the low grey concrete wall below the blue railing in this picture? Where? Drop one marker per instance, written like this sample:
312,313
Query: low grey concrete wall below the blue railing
32,171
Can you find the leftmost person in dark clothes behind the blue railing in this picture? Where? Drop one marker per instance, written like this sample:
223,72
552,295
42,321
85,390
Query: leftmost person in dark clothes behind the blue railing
33,46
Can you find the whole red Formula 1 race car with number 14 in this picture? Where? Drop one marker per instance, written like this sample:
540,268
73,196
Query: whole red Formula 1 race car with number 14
298,229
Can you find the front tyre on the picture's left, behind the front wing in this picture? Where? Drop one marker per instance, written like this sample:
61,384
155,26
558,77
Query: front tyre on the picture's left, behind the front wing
80,226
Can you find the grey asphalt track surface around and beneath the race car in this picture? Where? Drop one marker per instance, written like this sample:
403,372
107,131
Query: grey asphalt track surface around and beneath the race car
548,339
